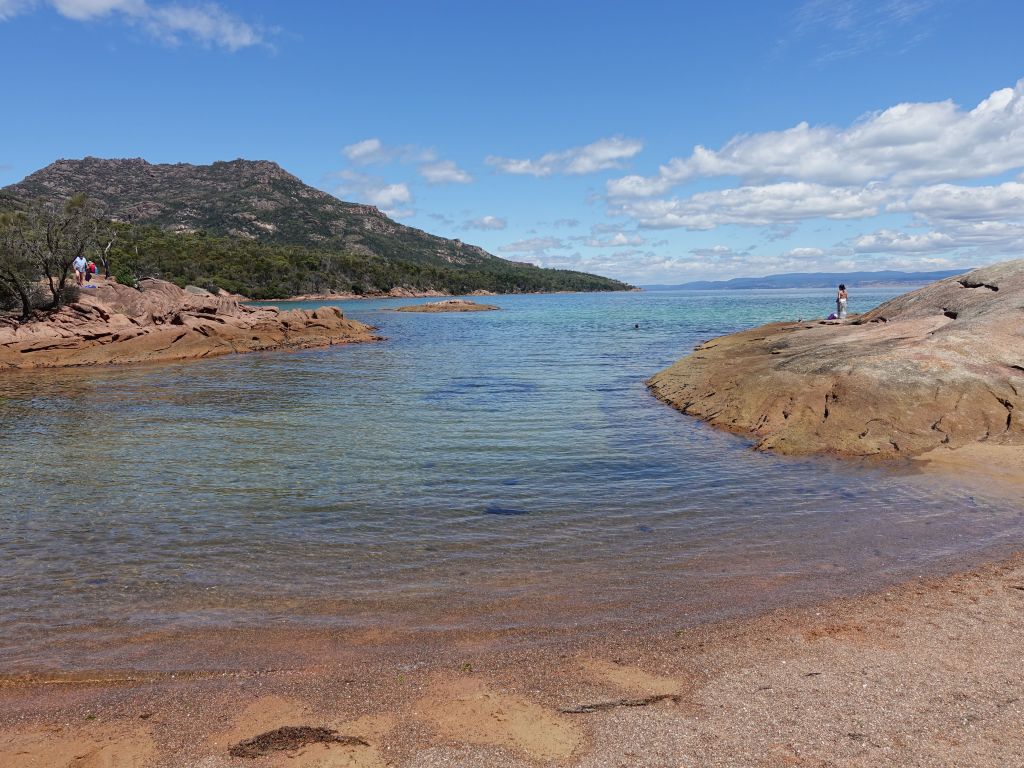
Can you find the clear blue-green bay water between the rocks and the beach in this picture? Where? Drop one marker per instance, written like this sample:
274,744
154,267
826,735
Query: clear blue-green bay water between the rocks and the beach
494,470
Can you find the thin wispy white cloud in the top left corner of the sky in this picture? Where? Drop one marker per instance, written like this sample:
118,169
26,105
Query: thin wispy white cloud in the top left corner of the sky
207,24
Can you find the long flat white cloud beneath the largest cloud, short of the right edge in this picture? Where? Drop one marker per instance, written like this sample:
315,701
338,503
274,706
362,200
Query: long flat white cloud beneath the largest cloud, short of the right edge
758,206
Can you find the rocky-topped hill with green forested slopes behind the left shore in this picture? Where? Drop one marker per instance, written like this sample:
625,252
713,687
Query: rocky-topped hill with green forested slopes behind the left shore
258,202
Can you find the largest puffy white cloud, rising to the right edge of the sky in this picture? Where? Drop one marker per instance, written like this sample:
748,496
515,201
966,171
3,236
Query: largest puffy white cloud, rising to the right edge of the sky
908,144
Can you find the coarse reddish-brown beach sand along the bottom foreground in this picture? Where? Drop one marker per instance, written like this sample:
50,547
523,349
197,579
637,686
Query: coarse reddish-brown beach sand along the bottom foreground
930,673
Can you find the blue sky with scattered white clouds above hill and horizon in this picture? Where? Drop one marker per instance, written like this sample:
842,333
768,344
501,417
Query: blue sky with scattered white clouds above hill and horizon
650,142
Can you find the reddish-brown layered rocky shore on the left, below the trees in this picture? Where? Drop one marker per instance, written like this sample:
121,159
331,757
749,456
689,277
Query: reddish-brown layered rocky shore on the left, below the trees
113,324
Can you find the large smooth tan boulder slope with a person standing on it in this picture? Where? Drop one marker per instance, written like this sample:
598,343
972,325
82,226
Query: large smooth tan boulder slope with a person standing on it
943,366
